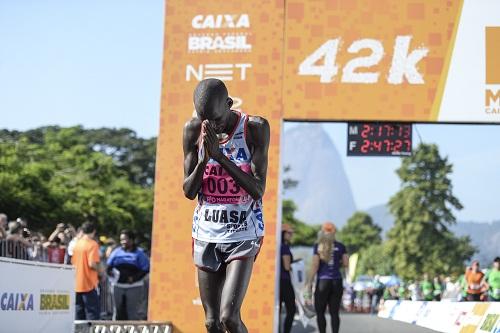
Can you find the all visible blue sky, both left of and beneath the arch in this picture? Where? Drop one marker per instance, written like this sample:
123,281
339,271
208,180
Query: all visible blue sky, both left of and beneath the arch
98,63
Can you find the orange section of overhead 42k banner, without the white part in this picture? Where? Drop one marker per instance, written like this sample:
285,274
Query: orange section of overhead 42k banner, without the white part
365,60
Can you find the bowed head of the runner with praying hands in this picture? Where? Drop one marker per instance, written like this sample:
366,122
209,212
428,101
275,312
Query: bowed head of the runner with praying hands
212,102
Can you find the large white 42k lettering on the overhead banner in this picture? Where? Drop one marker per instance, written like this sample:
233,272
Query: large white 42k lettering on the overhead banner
403,65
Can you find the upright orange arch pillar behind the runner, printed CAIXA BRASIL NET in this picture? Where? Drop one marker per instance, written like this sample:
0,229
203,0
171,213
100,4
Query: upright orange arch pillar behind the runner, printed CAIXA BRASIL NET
240,43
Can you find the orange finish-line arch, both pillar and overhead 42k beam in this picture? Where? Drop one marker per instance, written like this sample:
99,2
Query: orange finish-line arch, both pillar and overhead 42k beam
388,60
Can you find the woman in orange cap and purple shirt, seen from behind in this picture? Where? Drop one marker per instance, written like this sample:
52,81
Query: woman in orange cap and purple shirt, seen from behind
328,257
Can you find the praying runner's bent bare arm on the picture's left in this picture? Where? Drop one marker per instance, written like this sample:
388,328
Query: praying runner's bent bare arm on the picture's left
193,168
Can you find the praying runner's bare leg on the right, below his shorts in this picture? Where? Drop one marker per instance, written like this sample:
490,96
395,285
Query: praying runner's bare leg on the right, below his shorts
238,274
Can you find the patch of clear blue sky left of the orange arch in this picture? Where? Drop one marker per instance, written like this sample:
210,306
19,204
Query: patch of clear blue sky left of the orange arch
93,62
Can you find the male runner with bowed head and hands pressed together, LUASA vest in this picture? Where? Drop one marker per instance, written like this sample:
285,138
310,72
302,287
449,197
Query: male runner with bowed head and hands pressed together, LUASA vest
225,165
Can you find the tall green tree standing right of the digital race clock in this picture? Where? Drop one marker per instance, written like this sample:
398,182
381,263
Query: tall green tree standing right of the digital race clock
420,240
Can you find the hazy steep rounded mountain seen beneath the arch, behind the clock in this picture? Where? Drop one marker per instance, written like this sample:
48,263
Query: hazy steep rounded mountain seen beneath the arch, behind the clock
323,192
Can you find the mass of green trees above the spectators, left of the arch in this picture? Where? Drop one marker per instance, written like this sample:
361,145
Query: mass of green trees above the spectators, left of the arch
52,174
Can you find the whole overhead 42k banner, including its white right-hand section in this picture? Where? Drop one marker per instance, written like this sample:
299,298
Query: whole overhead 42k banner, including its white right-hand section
417,60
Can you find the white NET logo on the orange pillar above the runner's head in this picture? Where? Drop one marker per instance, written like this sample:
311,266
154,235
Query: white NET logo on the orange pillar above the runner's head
224,72
